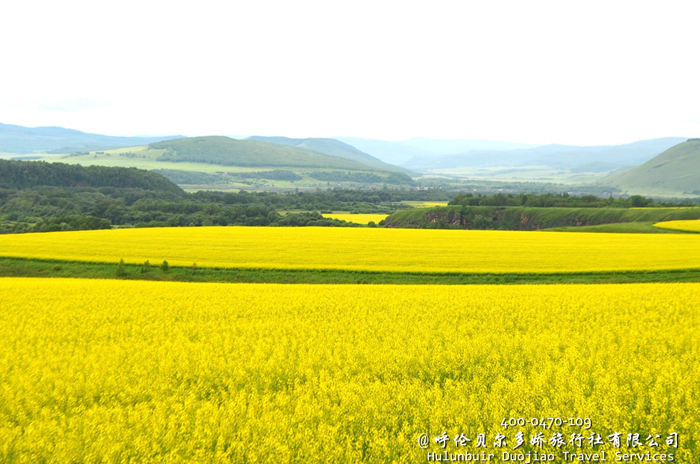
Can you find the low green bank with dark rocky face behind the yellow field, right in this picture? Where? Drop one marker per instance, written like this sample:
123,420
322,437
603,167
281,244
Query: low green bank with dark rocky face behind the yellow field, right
529,218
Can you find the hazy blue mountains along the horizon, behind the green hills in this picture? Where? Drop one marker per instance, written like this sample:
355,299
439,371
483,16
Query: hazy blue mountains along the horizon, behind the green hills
417,154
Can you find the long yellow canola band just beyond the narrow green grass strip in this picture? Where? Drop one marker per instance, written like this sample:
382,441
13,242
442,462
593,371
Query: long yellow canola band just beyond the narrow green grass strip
417,250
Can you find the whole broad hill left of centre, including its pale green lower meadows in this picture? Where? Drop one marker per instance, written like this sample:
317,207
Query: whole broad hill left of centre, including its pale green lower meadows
194,165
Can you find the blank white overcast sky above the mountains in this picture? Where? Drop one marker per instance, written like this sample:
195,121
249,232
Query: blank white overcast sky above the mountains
588,72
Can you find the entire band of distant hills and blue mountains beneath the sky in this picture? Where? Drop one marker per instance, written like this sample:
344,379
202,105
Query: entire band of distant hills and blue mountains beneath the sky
317,162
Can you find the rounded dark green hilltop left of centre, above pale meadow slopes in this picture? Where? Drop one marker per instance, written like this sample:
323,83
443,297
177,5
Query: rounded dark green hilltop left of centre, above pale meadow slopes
231,152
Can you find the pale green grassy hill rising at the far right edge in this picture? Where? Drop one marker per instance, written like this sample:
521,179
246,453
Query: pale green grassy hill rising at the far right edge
676,170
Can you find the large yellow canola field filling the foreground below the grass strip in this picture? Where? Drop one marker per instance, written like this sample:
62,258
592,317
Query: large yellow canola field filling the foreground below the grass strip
129,371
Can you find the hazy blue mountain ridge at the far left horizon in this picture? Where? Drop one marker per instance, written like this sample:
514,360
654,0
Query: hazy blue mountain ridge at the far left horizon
20,139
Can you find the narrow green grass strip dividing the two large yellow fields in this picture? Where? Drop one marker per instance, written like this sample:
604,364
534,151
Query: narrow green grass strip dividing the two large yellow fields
27,267
